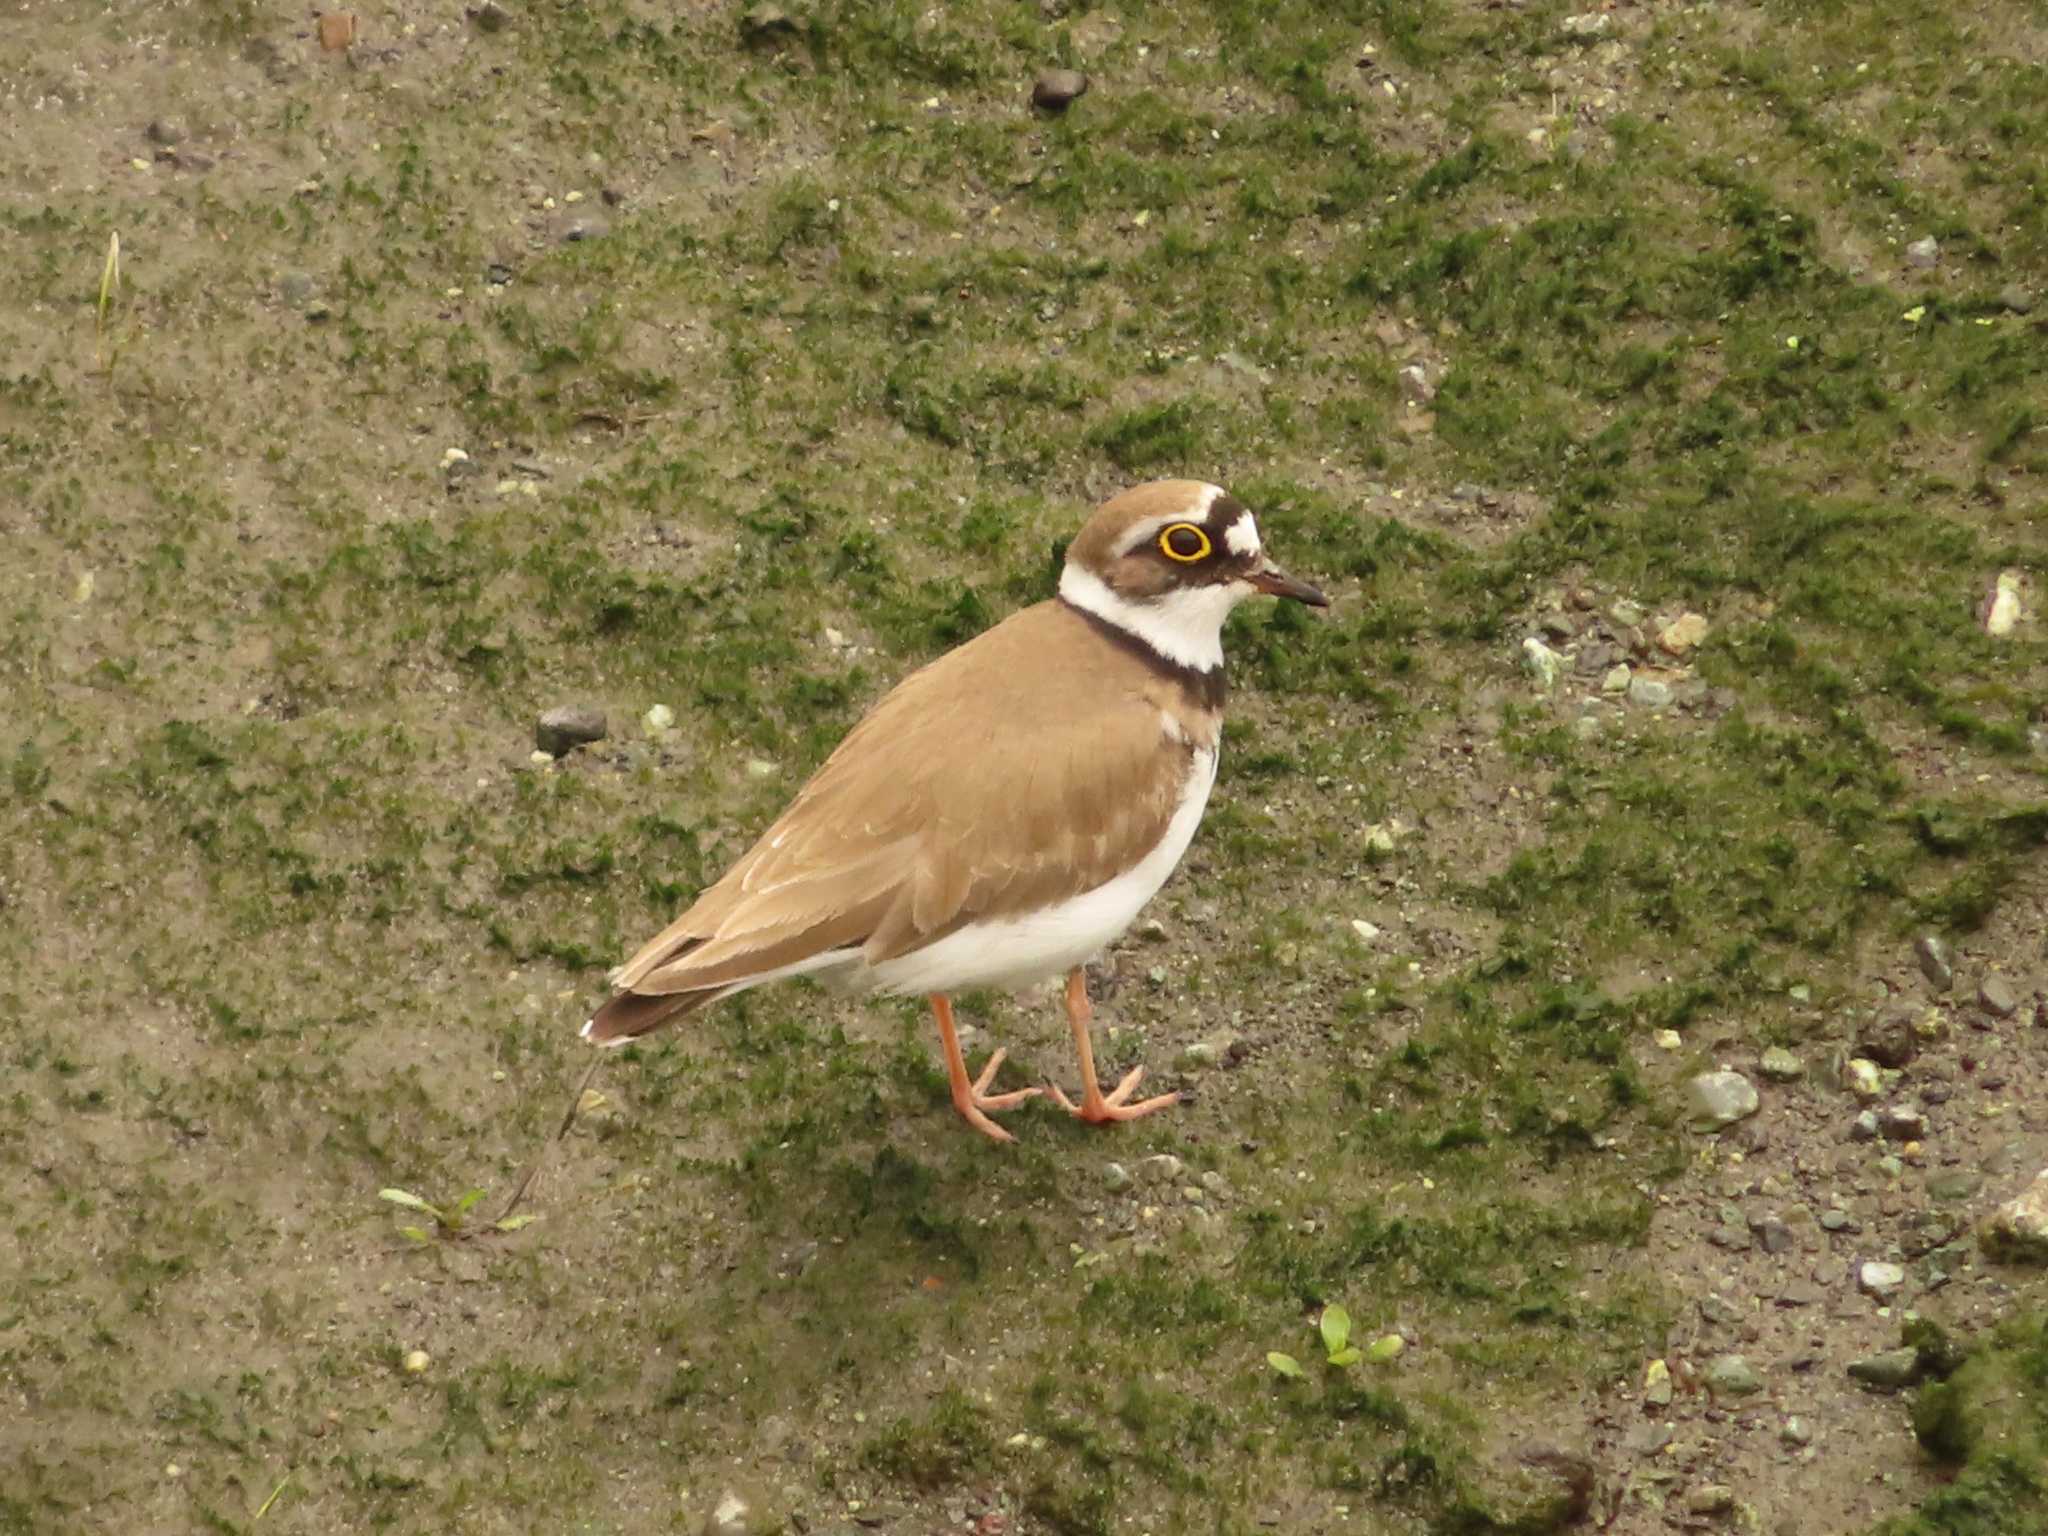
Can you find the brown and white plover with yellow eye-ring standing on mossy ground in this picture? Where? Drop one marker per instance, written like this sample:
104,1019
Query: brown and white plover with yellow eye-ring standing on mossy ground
1005,812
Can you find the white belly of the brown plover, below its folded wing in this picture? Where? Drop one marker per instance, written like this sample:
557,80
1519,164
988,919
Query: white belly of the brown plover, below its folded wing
1052,941
